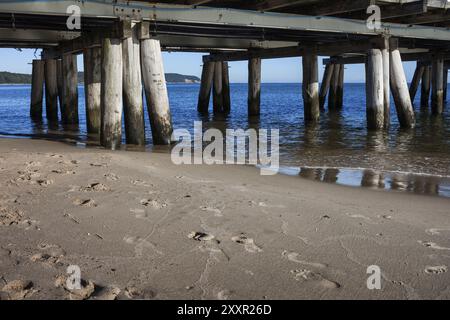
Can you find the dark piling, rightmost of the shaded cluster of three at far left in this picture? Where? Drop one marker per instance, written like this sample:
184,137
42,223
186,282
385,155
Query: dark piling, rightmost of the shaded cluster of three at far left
70,89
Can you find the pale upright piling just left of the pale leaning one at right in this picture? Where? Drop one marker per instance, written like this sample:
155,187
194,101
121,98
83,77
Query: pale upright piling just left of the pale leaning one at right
375,90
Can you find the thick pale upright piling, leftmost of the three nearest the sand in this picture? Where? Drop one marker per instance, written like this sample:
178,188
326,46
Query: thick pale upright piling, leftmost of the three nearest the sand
111,93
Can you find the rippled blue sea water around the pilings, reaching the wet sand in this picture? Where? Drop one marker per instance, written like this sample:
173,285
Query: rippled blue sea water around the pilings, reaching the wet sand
338,150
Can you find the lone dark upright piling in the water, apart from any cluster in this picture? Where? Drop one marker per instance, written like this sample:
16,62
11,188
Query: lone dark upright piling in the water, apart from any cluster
254,87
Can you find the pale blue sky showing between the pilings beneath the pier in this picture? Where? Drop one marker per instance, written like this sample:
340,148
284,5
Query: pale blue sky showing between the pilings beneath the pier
273,70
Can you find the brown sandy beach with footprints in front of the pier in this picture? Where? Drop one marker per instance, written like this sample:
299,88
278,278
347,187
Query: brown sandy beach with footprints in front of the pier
140,227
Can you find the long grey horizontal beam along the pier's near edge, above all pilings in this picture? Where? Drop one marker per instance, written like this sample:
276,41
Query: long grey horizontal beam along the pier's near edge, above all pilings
222,16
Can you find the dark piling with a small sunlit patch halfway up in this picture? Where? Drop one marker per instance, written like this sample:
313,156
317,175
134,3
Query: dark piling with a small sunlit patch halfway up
311,88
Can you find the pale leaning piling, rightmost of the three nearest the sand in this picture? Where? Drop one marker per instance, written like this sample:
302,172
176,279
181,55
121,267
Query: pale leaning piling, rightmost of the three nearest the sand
156,91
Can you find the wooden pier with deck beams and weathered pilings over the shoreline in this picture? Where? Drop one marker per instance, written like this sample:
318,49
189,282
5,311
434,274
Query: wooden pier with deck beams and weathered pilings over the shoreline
122,44
